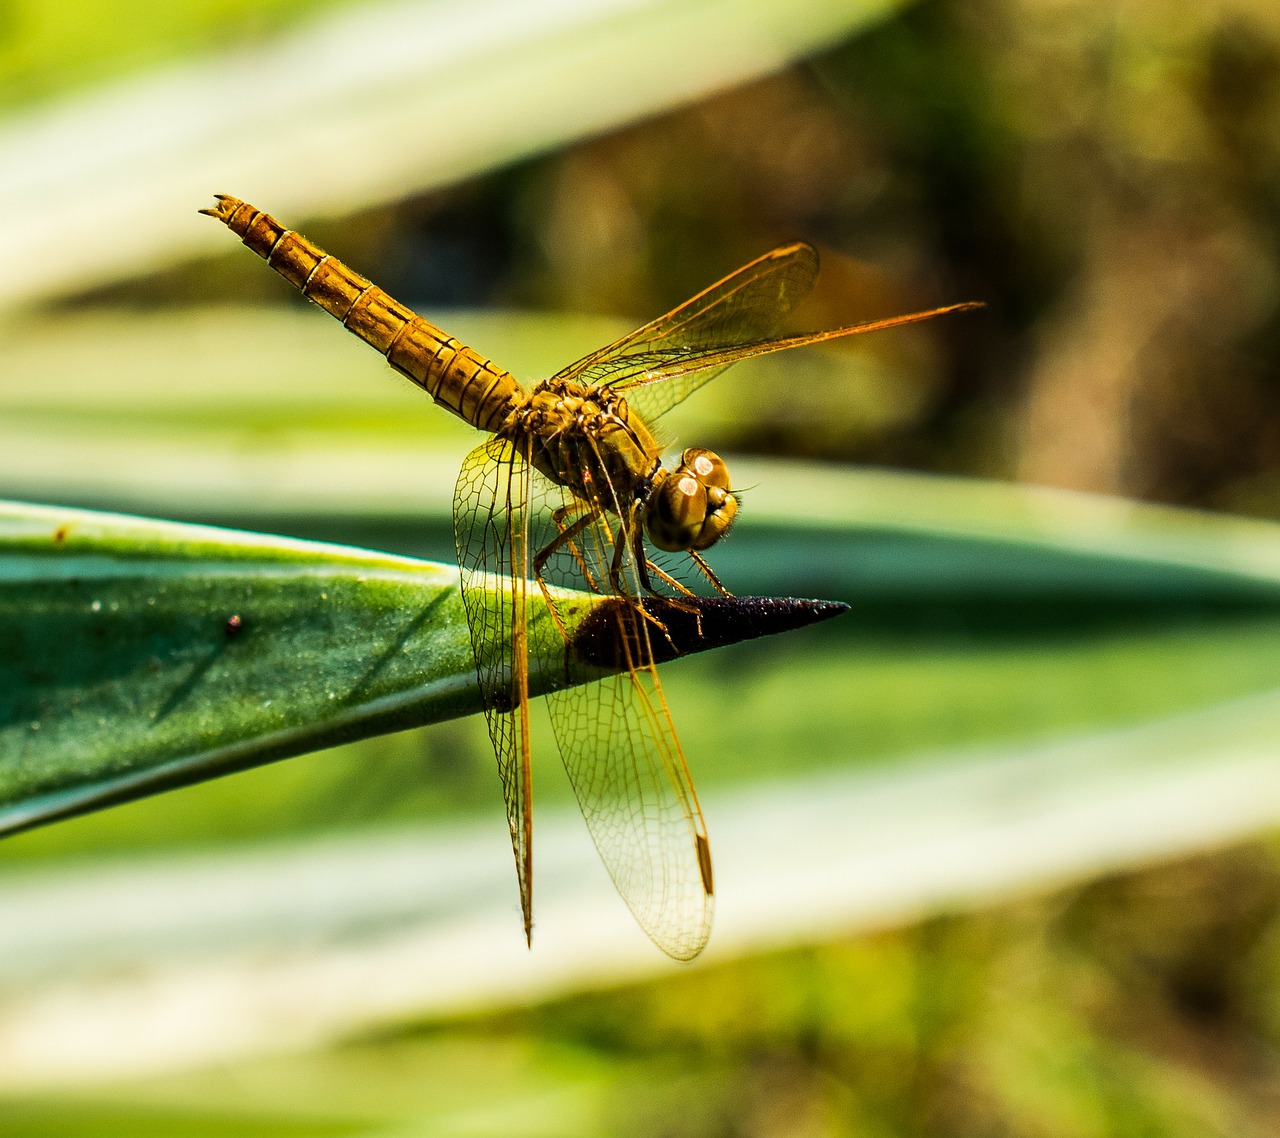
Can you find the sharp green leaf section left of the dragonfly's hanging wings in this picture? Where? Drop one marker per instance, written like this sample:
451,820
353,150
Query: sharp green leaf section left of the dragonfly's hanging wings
144,655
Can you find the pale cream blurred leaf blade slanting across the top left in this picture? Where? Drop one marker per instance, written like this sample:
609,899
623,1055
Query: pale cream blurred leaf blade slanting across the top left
392,99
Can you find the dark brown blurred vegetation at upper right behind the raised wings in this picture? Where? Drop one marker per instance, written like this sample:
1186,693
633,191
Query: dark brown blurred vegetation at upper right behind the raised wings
1107,177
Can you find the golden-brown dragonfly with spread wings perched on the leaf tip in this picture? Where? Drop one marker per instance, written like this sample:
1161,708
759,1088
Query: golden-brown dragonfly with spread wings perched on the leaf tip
570,490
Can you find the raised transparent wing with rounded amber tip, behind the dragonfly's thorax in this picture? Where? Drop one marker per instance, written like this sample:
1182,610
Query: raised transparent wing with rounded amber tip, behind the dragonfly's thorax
747,307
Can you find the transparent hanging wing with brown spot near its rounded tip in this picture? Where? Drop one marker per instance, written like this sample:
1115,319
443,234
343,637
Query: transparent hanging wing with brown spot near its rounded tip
619,743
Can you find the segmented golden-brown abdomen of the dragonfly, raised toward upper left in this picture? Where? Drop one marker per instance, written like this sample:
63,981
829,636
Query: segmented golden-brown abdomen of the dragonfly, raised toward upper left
458,378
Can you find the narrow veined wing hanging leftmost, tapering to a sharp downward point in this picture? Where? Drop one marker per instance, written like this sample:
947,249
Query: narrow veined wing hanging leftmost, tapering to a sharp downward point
491,529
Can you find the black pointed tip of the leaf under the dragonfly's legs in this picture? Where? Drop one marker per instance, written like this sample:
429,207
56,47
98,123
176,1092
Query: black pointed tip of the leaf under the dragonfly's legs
696,624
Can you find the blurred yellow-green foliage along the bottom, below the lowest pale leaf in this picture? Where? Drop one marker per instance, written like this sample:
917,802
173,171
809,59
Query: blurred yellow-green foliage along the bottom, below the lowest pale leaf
1140,1004
